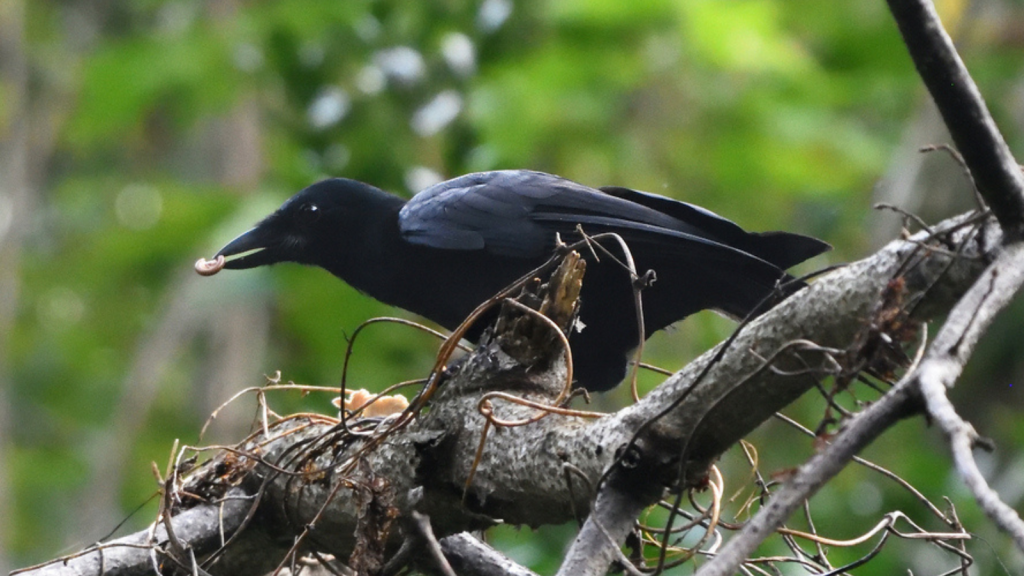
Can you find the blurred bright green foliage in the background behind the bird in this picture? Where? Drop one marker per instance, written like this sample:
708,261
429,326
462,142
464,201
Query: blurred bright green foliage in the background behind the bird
780,114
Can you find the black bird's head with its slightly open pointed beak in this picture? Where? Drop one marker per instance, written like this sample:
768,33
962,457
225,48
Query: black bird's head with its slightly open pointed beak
312,226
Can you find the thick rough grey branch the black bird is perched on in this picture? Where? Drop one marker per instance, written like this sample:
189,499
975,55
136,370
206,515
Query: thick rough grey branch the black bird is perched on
320,484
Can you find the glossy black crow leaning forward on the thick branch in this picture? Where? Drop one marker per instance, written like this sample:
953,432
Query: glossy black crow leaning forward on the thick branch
459,242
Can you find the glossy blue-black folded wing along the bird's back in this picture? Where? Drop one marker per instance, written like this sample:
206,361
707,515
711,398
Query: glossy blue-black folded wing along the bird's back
518,214
